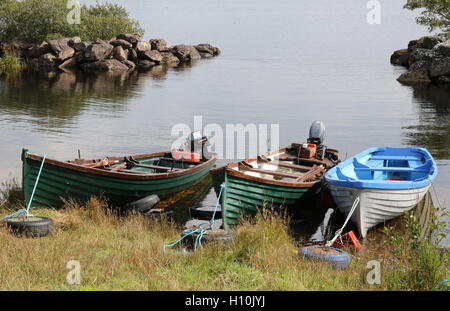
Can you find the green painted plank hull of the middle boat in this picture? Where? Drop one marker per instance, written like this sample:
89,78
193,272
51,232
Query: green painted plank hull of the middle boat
243,197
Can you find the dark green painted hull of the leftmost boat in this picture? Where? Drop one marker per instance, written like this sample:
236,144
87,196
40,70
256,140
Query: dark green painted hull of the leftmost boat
56,182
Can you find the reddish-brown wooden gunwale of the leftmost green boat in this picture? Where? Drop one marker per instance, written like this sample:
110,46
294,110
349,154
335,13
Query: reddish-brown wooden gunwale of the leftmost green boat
123,175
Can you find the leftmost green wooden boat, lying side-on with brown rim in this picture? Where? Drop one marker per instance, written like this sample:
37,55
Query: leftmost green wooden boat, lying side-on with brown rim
120,180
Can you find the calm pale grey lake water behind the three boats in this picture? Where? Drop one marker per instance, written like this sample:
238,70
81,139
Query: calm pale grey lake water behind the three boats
289,63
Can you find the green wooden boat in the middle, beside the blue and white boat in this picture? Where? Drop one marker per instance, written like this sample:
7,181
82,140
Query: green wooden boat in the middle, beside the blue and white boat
279,179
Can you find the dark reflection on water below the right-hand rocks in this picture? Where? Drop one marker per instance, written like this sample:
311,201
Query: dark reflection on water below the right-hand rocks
433,128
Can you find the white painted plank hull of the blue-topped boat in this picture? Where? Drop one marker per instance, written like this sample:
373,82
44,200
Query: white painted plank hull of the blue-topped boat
376,205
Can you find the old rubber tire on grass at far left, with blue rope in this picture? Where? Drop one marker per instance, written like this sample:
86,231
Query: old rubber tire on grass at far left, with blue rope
31,227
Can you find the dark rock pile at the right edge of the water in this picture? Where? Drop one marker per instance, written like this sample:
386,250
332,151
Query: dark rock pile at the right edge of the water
427,59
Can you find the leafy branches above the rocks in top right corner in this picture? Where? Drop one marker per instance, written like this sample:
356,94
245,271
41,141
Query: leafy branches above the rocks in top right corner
435,13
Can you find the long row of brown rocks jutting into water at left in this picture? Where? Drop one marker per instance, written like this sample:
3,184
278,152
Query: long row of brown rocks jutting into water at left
125,52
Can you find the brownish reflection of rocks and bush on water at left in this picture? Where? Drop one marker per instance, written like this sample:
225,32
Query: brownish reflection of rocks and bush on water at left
53,101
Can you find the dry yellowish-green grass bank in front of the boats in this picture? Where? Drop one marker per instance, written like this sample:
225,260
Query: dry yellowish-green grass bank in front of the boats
125,253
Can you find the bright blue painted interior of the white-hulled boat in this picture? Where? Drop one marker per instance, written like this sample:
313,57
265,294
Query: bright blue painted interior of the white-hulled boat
388,164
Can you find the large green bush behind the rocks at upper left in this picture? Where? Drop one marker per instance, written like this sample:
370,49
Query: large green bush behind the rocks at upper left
47,19
